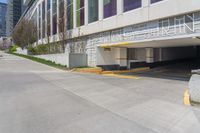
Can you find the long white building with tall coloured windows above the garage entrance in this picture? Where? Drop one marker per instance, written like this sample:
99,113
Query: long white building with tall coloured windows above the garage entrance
120,34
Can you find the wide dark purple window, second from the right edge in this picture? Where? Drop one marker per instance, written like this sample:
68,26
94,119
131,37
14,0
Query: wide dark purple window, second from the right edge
132,4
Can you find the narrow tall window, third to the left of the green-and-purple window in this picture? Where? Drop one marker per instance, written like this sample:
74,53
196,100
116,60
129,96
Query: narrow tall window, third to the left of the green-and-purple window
54,4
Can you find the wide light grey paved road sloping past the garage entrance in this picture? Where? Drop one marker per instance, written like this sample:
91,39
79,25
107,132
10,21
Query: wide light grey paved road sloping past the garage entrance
35,98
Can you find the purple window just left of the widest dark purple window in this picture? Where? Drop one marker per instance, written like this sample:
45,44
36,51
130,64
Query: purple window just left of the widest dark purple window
109,8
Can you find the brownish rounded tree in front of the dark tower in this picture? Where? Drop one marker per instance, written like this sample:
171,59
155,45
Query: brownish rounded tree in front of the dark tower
25,33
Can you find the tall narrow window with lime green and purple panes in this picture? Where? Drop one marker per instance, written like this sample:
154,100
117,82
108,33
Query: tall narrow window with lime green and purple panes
80,12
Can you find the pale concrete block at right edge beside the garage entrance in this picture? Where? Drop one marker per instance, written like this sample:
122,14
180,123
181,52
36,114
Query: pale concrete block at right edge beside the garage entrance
194,86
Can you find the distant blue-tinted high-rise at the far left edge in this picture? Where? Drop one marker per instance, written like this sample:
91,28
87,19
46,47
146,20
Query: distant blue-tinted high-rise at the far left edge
3,8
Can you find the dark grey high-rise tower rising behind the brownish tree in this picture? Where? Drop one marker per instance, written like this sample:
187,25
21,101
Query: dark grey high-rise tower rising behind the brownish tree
14,12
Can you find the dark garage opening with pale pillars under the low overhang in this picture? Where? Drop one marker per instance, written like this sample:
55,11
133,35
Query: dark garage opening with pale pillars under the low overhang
165,62
